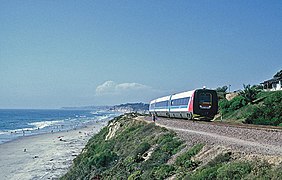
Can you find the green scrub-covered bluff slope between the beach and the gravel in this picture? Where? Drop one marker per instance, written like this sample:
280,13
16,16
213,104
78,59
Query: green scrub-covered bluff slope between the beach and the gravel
129,148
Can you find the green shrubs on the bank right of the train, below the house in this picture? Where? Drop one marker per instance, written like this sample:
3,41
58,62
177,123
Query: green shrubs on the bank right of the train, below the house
253,106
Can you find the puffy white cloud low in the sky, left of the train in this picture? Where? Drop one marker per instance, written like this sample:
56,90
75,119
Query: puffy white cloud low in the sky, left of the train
112,88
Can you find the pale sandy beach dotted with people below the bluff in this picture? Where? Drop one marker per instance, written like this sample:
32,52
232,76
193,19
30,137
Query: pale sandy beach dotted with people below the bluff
45,156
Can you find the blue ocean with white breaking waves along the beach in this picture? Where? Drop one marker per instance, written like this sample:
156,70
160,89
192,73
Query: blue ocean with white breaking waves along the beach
18,123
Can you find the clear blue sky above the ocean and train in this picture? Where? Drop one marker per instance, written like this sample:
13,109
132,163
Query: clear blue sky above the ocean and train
74,53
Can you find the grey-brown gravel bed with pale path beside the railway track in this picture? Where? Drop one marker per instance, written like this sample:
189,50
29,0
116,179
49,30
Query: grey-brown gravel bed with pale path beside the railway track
247,140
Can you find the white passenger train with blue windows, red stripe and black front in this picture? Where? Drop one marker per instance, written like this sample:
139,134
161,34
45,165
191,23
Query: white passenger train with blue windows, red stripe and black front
195,104
